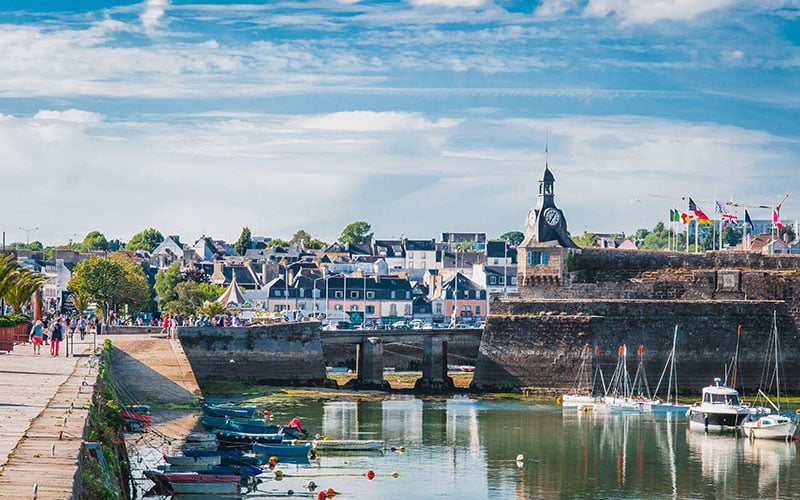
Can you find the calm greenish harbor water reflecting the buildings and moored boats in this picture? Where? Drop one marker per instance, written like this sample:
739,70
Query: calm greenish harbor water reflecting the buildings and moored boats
473,449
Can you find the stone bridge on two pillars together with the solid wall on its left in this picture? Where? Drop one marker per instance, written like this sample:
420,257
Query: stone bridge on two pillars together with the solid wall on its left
292,353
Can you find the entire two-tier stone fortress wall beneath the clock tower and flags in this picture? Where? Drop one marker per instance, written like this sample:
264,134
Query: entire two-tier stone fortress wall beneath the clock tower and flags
607,298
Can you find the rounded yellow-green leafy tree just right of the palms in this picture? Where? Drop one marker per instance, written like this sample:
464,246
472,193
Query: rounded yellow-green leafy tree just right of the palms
98,278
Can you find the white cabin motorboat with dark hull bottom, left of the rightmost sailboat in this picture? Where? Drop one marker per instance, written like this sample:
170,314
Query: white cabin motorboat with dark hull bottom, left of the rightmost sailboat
719,409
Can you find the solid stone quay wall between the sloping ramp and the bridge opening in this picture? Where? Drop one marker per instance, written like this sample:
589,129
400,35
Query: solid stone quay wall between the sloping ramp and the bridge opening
280,354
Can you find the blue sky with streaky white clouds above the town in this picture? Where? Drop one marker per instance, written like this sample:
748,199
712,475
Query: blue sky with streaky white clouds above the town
417,116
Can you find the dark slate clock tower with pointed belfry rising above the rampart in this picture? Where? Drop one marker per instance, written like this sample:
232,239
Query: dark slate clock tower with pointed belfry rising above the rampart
546,222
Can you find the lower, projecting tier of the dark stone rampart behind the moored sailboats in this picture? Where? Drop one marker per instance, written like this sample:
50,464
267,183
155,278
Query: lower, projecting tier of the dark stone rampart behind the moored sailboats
538,343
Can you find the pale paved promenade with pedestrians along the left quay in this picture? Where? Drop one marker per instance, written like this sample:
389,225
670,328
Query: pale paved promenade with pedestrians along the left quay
43,409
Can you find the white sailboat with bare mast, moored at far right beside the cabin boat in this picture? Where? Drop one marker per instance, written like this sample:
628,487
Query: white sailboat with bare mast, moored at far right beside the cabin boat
771,426
